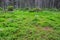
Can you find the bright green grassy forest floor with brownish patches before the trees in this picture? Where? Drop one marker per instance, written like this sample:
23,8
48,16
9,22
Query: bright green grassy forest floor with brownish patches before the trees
25,25
